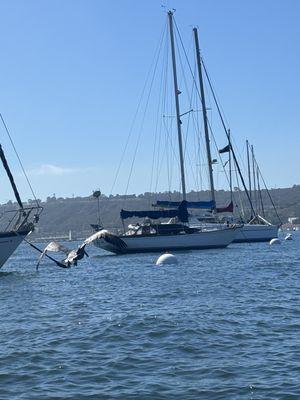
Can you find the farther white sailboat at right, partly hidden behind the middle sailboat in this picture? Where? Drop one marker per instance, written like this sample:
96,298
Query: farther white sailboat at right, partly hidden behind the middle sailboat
254,229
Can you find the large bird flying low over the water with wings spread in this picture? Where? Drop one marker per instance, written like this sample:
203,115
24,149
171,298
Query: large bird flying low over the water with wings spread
73,256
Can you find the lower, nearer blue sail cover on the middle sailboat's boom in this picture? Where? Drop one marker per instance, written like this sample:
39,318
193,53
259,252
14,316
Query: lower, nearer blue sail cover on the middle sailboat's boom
180,212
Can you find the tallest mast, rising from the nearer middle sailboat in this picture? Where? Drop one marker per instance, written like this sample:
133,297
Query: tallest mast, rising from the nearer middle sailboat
177,92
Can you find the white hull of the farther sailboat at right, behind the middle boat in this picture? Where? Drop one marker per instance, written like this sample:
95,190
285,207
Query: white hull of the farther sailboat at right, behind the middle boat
256,233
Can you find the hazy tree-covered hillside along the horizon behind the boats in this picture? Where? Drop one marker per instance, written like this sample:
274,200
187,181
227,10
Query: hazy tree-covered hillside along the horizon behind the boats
61,215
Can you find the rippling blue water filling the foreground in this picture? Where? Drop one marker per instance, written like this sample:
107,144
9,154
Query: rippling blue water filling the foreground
222,324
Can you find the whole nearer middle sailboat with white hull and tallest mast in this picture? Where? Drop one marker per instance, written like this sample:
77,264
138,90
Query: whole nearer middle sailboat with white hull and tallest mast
176,233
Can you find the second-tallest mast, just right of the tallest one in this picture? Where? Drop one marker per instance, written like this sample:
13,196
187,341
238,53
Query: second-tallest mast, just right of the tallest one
208,152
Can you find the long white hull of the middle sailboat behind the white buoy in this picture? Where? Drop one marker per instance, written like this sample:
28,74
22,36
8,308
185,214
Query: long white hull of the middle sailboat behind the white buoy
216,238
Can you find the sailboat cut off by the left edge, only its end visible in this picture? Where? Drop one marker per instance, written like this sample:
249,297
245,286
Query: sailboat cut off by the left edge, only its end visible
18,222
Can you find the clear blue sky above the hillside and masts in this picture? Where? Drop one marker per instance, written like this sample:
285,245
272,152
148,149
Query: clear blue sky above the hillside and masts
71,72
